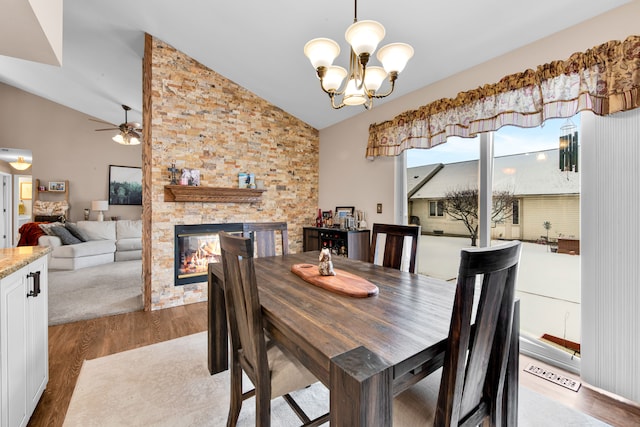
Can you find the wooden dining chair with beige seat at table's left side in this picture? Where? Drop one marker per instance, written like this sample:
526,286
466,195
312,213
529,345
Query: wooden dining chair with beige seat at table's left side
271,371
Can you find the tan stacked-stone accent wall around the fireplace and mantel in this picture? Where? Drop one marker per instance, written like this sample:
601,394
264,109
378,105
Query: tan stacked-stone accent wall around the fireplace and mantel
201,120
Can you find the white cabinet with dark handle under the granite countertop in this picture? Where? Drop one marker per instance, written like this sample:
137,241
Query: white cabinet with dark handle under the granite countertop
24,356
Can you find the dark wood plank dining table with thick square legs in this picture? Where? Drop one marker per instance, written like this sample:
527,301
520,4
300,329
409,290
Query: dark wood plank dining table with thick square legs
365,350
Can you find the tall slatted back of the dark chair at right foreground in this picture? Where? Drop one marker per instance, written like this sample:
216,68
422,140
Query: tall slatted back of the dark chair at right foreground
476,358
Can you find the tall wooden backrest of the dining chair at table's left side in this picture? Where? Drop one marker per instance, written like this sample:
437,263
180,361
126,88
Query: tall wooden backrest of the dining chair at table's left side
244,311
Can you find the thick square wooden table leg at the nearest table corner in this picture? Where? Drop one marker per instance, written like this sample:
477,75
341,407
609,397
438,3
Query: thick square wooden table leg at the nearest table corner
361,386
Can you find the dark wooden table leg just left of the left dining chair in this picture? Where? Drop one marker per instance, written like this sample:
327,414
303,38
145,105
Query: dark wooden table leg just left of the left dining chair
217,339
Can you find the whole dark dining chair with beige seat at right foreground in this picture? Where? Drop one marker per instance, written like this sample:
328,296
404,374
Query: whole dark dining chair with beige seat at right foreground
470,388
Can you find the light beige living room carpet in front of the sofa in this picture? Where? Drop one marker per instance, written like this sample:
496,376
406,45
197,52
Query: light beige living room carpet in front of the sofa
88,293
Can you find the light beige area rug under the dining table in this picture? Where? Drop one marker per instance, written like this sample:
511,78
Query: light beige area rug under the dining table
168,384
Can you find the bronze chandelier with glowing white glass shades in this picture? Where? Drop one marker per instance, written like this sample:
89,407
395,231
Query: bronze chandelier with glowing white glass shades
363,82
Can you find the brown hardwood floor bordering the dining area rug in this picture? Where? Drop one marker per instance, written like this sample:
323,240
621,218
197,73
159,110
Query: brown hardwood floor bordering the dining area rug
71,343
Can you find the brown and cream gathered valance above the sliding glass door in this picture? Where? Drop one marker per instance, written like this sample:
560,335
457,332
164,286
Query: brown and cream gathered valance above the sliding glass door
604,79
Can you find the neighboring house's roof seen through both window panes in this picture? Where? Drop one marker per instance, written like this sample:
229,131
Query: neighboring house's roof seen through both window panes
526,174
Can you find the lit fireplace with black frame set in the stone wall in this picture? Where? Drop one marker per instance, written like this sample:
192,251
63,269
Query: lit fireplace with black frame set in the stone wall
196,246
